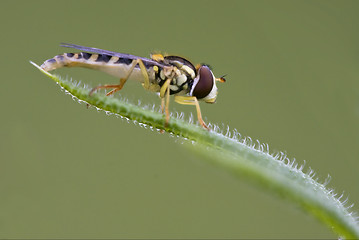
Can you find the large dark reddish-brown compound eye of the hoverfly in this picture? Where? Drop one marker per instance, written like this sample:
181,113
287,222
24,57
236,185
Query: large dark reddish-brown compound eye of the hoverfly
205,83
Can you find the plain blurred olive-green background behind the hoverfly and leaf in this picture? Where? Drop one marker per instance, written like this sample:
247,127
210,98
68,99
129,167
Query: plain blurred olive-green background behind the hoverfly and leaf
71,172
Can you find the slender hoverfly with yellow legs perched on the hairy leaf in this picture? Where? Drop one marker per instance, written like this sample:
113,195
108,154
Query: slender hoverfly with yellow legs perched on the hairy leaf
166,75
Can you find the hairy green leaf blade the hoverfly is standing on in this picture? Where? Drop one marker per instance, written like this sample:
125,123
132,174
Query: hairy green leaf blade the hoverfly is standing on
242,157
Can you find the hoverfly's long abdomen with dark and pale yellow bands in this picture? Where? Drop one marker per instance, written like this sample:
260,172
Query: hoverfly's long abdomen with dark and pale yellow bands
115,66
